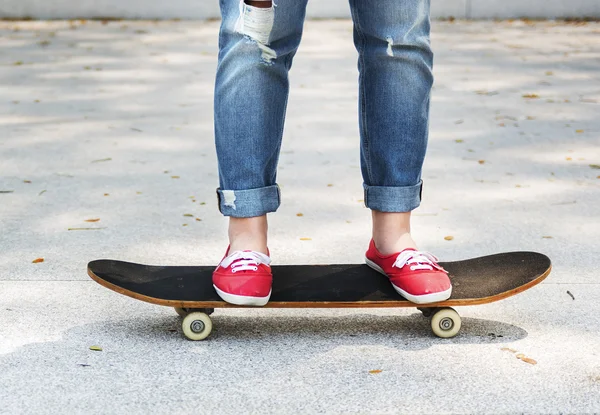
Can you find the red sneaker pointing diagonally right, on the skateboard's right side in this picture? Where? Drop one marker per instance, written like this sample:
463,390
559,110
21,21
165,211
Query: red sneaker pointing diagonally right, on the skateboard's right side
414,274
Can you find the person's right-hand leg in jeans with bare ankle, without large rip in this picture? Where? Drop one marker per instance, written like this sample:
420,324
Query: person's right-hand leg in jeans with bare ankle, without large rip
395,64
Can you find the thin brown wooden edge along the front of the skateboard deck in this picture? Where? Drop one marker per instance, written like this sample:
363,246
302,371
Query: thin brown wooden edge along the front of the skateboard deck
323,304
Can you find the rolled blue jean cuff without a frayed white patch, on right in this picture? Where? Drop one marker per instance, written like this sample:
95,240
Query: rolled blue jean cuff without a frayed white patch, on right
392,198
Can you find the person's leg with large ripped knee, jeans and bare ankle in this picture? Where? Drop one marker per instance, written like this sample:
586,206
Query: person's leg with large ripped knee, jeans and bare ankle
257,42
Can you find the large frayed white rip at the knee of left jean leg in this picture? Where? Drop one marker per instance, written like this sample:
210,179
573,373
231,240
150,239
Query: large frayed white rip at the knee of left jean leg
256,21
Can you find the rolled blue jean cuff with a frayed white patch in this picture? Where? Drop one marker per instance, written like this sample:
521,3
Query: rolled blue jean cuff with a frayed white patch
249,203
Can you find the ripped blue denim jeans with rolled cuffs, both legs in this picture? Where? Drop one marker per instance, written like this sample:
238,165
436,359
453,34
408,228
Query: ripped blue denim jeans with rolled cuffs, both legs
256,49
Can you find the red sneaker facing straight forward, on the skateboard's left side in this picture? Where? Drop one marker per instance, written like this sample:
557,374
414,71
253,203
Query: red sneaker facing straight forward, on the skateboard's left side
244,278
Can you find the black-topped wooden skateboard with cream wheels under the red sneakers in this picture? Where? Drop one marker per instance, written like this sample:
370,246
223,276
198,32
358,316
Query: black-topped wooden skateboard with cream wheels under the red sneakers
190,291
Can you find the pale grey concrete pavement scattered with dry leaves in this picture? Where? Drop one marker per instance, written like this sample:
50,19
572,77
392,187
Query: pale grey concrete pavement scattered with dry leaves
114,122
